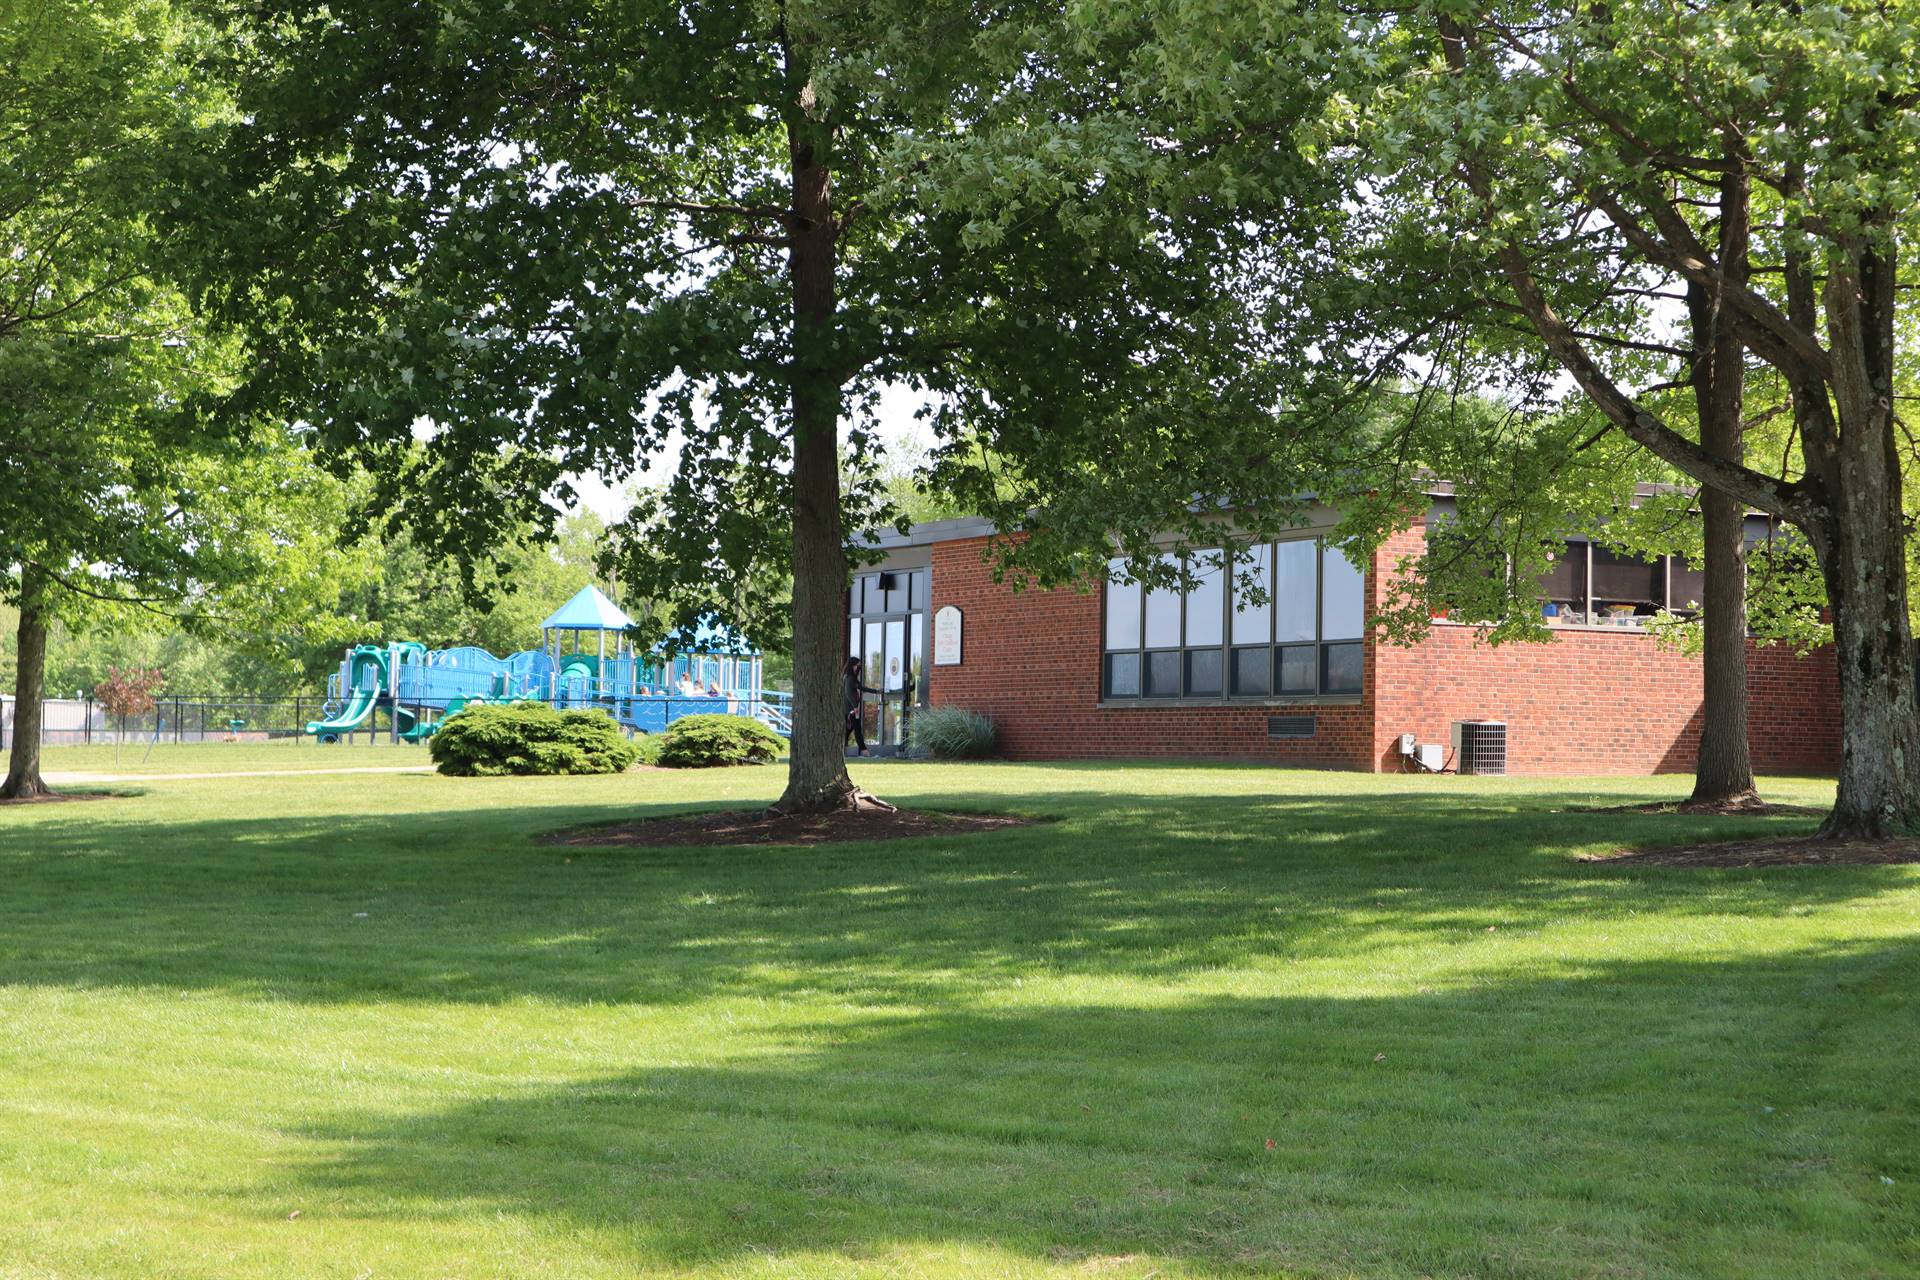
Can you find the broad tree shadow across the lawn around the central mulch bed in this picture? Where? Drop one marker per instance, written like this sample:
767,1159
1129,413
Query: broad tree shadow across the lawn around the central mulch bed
462,905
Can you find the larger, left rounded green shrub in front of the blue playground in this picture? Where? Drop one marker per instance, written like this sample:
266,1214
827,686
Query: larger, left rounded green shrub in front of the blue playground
487,740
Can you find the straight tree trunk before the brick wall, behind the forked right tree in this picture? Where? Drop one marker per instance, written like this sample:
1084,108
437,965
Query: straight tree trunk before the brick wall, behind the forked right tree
1723,774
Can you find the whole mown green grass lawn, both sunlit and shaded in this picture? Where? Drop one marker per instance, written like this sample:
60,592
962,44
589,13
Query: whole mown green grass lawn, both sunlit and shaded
1211,1022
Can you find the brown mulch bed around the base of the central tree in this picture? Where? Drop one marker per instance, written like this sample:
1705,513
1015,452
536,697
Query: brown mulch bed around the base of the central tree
763,828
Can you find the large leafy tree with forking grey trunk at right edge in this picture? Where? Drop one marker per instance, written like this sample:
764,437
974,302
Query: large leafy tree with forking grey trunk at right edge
1639,191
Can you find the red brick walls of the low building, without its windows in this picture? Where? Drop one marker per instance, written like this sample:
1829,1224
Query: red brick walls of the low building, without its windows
1583,703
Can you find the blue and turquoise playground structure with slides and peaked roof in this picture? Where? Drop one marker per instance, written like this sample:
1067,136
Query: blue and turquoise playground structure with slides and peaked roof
711,671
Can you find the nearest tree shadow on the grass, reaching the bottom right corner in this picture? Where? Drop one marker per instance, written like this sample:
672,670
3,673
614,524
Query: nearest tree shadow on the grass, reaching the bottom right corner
1643,1118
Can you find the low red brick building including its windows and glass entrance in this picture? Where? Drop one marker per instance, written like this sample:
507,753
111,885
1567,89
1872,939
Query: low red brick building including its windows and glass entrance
1118,673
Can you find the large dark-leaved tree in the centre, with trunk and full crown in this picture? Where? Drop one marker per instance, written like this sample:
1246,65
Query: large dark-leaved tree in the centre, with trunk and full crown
565,235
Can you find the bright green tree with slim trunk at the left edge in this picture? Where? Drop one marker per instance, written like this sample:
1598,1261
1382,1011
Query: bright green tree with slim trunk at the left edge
118,492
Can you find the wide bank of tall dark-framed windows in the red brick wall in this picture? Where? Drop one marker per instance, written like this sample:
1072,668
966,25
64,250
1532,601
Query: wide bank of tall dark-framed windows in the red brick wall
1287,621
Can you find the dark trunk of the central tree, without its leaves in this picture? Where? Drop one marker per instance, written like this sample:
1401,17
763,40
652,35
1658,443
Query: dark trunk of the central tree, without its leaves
817,763
